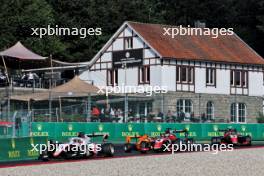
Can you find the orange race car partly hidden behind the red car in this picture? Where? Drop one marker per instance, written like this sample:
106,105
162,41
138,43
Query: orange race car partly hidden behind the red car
143,143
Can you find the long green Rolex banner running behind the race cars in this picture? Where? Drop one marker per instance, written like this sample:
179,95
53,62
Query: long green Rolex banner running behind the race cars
118,132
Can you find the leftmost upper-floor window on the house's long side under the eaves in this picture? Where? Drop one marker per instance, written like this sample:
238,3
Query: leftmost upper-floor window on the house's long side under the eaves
185,74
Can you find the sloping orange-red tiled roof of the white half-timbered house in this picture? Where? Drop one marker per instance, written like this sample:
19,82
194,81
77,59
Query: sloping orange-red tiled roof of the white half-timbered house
228,48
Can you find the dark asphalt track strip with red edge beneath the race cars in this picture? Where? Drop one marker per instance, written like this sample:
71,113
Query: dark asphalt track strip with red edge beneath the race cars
119,153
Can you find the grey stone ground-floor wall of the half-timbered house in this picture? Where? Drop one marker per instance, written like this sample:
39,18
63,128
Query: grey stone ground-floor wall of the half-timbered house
222,104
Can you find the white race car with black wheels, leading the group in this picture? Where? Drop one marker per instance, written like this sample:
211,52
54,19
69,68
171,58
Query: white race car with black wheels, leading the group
77,147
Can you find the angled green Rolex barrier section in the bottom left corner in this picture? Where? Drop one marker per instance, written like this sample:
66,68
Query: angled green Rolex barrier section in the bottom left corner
13,149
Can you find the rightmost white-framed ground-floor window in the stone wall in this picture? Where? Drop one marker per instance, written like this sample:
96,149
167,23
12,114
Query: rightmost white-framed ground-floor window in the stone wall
238,112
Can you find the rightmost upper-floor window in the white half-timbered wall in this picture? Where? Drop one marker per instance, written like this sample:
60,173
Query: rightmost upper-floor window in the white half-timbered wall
239,78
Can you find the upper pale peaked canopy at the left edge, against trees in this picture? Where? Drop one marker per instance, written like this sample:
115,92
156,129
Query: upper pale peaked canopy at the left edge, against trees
21,52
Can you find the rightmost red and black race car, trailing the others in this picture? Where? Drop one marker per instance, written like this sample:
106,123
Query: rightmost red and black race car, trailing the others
231,136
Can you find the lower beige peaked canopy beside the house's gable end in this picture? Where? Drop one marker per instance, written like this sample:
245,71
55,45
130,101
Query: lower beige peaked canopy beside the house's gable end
74,88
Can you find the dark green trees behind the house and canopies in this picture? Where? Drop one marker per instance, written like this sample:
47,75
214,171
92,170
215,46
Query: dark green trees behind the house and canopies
18,16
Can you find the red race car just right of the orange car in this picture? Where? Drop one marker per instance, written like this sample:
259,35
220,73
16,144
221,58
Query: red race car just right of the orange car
169,137
